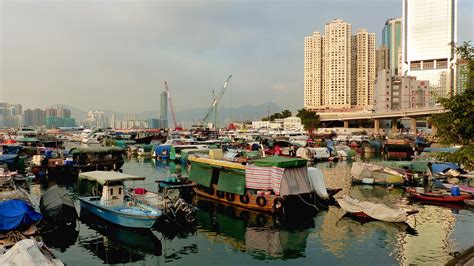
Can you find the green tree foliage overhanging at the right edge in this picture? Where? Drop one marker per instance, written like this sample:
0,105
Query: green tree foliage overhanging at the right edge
456,125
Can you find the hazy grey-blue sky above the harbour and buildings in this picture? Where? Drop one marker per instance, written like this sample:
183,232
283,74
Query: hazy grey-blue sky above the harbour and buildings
112,54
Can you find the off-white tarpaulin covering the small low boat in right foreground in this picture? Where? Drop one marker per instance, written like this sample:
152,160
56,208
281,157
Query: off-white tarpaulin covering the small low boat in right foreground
377,211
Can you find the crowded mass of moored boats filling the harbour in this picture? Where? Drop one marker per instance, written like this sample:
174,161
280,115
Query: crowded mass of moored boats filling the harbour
258,176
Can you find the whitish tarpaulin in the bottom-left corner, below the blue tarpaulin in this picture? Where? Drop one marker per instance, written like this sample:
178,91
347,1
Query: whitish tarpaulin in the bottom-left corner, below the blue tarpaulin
26,252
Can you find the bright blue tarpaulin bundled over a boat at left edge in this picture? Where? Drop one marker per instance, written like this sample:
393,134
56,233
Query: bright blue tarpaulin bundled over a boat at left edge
17,213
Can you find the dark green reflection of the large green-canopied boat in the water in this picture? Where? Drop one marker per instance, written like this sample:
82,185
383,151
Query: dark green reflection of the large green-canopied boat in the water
261,236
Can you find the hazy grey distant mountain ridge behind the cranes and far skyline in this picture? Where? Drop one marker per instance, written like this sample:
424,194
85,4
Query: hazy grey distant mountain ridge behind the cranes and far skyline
225,114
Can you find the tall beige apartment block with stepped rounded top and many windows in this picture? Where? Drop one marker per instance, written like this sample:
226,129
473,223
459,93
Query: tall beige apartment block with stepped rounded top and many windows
339,68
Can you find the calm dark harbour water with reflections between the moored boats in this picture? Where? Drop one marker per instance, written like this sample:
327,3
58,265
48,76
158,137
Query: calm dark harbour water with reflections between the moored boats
225,237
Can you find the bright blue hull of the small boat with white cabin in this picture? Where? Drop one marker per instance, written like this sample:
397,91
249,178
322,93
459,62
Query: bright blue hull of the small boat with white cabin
116,217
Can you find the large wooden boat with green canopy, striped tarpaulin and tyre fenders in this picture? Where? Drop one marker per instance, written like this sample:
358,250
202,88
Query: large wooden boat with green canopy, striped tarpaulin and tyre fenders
275,185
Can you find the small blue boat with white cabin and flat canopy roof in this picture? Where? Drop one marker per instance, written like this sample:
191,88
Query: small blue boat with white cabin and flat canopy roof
112,206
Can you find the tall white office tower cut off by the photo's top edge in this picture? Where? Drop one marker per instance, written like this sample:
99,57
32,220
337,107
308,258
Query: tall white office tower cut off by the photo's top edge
429,29
